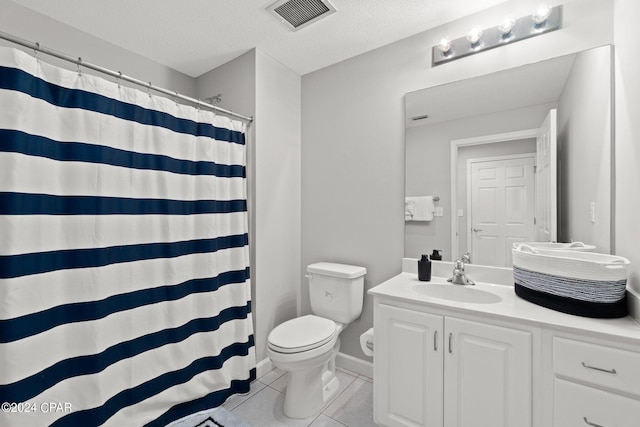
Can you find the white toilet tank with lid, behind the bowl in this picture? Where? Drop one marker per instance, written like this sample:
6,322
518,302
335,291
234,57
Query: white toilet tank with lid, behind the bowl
336,290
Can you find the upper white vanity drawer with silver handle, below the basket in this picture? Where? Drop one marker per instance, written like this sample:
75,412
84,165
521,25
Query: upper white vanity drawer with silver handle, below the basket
595,364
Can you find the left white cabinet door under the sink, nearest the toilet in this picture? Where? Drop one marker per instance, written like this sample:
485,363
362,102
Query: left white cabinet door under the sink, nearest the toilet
408,367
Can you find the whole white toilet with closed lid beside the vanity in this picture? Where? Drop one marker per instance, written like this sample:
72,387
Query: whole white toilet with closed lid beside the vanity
306,347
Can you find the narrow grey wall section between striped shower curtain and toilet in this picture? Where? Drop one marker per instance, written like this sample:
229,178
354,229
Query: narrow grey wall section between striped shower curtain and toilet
277,189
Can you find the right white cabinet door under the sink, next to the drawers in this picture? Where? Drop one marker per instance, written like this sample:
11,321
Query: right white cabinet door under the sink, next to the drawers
487,375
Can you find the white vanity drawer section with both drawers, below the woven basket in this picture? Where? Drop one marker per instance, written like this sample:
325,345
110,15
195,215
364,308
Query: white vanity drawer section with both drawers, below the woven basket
594,383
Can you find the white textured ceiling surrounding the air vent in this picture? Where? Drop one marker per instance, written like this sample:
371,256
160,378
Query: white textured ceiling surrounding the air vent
195,36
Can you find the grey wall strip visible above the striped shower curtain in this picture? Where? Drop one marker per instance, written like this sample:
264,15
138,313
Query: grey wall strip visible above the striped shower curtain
34,27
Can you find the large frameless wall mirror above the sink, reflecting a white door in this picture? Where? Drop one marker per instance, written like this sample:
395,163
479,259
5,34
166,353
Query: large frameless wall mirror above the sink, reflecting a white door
523,154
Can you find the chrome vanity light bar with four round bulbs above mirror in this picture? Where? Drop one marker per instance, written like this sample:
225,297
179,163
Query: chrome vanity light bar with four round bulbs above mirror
544,19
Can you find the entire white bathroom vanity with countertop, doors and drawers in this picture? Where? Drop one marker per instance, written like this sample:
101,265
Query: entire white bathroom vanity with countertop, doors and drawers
443,356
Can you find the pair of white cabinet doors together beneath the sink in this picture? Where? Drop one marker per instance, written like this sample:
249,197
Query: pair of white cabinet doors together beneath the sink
434,369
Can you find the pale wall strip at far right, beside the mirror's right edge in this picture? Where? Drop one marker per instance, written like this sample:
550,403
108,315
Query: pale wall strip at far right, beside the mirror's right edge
627,130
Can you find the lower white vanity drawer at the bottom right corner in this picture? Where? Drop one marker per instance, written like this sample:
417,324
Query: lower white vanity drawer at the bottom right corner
575,405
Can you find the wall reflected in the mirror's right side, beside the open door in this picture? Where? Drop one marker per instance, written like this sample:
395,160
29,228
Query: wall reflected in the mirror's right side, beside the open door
584,171
